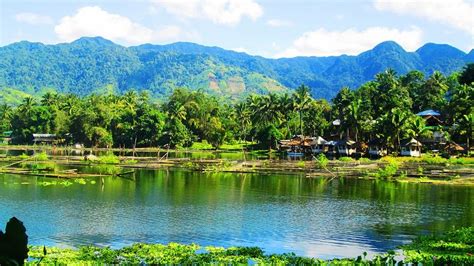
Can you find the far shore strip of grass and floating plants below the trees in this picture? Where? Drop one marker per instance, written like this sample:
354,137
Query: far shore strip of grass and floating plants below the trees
426,169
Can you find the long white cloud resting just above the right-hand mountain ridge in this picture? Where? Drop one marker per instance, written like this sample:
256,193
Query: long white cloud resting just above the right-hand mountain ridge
322,42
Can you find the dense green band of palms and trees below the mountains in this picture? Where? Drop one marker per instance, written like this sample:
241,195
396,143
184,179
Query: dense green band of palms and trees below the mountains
383,108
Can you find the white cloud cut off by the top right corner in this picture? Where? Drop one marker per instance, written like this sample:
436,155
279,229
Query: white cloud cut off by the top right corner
456,13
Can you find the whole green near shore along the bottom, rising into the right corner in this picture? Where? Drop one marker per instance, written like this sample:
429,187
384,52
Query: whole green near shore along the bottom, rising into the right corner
454,247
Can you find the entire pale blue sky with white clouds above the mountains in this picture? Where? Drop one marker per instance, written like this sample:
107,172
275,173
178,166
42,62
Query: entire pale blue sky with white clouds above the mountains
278,28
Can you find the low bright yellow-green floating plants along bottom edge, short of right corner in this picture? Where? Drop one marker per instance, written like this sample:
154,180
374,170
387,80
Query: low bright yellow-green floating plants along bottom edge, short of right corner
173,254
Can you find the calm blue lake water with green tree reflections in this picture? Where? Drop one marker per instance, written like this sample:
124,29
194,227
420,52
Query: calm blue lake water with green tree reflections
280,213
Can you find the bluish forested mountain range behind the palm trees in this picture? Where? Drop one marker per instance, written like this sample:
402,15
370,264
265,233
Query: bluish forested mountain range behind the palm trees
90,64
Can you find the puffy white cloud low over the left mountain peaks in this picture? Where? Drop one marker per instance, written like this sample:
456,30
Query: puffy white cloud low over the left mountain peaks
94,21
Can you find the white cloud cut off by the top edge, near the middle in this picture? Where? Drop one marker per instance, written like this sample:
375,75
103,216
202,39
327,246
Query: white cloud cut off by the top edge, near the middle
228,12
